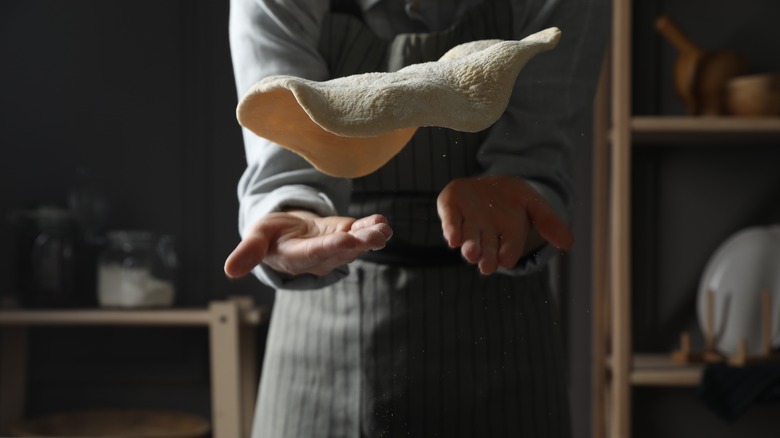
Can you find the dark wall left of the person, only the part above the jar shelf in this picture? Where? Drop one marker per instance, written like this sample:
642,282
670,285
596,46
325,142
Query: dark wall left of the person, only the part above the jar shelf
132,99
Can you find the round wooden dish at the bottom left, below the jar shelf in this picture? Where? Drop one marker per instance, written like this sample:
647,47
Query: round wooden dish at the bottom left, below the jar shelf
114,423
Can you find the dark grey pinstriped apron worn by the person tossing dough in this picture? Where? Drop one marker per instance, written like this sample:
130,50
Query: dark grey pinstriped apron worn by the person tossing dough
414,342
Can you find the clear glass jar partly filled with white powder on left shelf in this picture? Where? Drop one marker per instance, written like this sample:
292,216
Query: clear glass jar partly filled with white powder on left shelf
137,269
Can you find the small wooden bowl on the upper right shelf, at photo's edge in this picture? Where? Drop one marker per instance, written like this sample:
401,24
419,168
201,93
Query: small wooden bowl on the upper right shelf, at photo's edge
756,95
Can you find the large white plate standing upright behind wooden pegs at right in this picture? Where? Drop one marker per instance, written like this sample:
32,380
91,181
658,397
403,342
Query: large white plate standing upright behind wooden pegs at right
740,270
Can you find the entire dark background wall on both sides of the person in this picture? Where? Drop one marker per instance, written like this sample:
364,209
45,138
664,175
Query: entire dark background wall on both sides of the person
136,101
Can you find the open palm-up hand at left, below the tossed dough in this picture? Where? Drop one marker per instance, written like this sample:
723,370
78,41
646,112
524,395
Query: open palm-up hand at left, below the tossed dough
300,242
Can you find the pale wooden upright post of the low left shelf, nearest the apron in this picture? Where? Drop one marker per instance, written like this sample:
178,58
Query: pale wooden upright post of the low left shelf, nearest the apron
225,370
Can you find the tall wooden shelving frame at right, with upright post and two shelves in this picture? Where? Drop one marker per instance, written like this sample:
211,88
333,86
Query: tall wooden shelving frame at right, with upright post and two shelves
616,366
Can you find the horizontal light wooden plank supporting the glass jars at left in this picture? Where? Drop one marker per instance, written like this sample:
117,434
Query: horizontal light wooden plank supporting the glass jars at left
162,317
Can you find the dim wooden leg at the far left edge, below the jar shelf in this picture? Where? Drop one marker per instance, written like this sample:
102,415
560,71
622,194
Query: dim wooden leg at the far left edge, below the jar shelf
13,375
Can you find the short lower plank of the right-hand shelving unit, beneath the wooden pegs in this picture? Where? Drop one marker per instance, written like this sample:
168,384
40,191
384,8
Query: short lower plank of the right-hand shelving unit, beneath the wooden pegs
659,370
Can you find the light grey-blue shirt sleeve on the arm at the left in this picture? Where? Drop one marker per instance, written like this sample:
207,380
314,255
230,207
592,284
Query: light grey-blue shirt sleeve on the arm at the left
270,37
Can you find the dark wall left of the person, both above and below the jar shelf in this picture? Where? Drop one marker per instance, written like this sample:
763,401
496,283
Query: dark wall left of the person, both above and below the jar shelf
133,101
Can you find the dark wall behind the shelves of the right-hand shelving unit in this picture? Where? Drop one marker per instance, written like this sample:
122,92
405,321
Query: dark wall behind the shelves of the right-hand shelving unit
688,198
